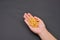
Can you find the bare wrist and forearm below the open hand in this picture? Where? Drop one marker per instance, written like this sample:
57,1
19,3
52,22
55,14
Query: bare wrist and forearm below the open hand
46,35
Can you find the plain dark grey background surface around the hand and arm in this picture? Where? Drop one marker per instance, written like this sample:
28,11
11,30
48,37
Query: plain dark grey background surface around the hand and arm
12,26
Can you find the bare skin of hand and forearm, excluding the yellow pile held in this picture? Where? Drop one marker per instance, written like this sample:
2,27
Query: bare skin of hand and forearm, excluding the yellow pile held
40,29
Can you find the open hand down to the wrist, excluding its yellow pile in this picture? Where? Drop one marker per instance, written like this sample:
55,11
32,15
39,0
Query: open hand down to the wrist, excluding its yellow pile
41,25
